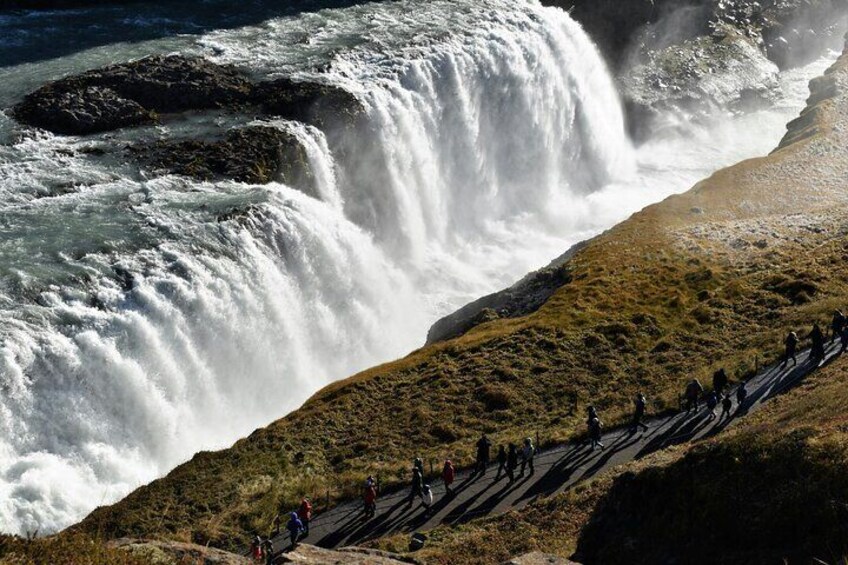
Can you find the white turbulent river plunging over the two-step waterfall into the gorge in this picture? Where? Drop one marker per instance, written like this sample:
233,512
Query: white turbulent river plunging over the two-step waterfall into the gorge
136,328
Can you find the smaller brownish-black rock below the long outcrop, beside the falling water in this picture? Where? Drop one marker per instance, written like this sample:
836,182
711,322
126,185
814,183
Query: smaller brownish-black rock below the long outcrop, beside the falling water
252,154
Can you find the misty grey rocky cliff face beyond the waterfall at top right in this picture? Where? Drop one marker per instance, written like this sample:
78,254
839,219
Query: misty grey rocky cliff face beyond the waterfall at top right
696,54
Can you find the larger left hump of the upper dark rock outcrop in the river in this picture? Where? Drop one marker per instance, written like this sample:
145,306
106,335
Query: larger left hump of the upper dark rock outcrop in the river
132,94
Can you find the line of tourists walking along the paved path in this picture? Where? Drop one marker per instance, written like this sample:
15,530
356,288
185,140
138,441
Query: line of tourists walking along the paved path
511,457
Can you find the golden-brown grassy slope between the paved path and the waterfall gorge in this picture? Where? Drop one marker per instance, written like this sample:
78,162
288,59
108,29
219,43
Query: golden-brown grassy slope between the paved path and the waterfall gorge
700,280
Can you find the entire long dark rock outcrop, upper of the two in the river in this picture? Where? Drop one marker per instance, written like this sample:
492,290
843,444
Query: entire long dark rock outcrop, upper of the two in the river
139,92
